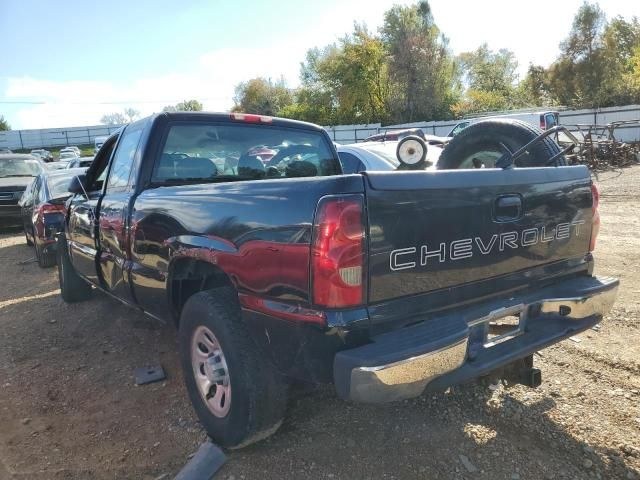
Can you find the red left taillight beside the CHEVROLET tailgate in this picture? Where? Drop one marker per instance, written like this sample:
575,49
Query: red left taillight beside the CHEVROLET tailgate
337,252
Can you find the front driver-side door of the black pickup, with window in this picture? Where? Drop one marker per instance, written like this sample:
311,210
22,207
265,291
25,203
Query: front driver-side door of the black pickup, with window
82,231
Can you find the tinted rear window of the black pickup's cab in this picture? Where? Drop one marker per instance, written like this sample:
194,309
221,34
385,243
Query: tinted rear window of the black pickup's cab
219,153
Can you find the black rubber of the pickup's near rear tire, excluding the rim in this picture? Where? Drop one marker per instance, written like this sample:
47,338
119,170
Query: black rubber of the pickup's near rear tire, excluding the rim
258,392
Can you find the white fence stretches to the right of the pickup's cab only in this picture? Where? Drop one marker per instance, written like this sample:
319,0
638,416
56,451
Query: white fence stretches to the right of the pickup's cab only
357,133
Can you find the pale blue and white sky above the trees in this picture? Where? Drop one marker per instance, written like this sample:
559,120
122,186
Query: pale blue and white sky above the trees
83,59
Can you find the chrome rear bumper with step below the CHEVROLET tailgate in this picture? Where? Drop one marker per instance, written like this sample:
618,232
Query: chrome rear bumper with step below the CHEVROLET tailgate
454,348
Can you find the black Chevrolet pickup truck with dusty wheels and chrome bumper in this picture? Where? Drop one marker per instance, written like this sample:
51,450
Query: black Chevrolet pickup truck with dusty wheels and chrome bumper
276,266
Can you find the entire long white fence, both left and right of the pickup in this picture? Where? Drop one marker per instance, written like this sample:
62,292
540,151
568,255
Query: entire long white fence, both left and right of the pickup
54,137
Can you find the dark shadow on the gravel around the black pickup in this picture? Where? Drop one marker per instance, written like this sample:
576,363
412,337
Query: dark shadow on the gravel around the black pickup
69,408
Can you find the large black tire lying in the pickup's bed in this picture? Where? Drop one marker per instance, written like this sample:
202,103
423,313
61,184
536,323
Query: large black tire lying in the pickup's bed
487,135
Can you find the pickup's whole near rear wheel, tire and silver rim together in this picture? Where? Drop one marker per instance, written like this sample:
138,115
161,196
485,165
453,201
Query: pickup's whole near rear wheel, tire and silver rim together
219,359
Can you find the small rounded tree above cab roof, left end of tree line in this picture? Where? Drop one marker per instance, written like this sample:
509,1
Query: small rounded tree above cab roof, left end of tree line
262,96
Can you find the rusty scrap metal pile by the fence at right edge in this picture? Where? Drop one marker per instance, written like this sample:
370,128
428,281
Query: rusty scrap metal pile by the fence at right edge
599,148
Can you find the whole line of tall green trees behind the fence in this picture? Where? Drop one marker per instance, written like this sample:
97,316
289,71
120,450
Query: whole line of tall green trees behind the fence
406,72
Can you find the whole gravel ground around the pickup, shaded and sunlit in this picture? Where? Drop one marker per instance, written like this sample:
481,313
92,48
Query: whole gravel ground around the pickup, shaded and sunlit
69,408
